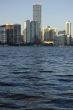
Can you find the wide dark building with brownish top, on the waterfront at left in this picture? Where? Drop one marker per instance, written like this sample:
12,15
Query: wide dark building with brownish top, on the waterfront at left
13,33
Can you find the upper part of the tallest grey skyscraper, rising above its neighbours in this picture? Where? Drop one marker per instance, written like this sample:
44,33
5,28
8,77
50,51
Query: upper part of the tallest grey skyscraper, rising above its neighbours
37,14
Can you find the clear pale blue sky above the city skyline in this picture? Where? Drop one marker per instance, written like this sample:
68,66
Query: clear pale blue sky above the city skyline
54,12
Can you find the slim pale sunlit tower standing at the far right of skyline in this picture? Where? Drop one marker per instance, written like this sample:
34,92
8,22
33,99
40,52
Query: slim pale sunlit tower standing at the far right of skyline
68,32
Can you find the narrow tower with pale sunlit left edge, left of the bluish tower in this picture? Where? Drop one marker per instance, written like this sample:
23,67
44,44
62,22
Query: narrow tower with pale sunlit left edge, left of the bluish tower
26,38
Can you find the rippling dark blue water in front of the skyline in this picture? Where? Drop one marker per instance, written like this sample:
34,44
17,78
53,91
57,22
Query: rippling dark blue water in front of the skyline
36,78
